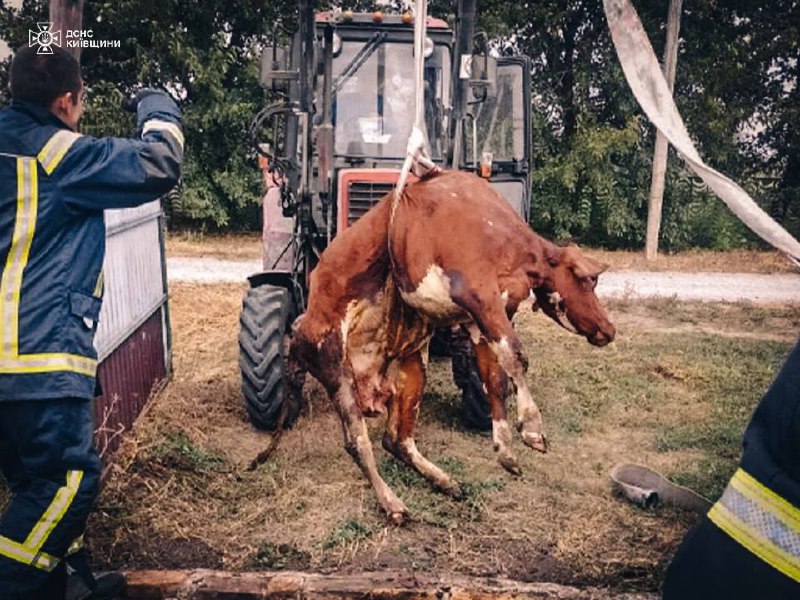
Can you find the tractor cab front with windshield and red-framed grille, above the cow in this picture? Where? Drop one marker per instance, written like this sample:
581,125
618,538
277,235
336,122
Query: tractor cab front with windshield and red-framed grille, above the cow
369,95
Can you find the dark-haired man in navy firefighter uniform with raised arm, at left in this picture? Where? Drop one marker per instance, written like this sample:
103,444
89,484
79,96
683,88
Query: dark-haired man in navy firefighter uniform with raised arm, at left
54,185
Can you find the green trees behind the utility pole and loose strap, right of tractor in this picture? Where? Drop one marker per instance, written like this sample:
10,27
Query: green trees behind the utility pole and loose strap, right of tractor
736,87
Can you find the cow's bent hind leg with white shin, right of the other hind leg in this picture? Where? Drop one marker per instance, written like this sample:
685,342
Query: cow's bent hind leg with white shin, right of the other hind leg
403,411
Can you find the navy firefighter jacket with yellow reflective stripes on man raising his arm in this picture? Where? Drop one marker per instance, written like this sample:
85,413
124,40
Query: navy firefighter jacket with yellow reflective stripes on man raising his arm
54,186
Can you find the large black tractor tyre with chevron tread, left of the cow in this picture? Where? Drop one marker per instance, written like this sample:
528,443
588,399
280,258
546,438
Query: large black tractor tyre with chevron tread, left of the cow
265,321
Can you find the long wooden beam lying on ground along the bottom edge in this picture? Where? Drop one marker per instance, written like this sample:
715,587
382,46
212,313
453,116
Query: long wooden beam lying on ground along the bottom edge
388,585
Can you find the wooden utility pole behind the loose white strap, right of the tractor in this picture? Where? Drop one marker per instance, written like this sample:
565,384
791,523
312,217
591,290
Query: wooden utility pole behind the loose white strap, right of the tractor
660,152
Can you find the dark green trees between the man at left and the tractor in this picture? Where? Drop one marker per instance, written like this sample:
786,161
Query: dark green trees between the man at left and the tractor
206,54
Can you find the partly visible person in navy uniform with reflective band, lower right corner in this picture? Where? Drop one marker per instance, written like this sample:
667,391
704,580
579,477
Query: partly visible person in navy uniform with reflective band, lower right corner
748,545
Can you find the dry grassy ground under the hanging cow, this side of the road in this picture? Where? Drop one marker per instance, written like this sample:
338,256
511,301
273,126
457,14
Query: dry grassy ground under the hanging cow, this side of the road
673,392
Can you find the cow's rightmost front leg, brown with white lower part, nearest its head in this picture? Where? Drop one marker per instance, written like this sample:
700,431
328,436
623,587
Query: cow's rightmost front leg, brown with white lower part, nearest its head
490,315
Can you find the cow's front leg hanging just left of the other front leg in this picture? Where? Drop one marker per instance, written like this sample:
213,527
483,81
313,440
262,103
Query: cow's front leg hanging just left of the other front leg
496,384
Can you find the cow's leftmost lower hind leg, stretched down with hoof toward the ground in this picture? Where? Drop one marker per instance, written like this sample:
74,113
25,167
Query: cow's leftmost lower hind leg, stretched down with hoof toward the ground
359,446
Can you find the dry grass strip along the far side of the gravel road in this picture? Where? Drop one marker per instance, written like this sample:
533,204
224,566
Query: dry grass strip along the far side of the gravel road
248,247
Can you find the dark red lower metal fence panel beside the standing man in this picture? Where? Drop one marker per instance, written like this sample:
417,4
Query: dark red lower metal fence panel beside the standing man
127,377
